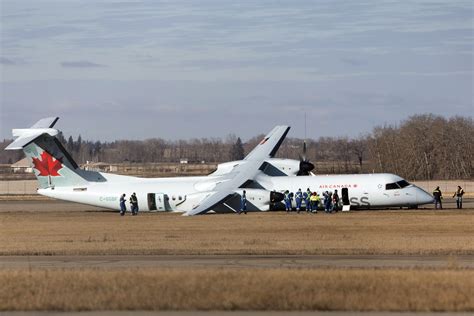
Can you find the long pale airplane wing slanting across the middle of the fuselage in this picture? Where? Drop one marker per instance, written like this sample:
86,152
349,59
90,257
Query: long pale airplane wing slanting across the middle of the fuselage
244,171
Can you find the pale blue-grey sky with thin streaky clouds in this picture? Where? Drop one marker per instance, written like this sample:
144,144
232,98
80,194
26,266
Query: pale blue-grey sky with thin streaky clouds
185,69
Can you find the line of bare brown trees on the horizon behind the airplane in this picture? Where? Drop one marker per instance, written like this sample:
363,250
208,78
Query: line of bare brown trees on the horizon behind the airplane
422,147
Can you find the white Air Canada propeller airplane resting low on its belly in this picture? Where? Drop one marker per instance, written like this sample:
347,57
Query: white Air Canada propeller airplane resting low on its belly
260,174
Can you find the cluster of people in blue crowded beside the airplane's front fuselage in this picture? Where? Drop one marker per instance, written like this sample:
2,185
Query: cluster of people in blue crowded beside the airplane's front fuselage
312,201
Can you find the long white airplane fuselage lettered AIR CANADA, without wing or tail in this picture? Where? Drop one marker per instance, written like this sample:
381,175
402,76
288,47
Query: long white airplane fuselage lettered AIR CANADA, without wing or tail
181,194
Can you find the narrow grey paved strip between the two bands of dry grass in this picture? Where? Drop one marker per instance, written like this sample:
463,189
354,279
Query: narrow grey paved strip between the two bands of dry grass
242,261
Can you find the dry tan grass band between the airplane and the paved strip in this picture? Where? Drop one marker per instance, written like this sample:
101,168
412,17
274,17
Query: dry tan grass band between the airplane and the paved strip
384,232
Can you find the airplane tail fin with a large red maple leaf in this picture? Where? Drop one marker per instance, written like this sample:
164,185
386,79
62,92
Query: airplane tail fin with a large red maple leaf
52,164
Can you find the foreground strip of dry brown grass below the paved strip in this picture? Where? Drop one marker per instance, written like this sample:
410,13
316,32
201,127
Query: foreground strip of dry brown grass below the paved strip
231,289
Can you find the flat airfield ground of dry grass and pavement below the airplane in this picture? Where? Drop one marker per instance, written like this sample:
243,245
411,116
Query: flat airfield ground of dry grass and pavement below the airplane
64,256
